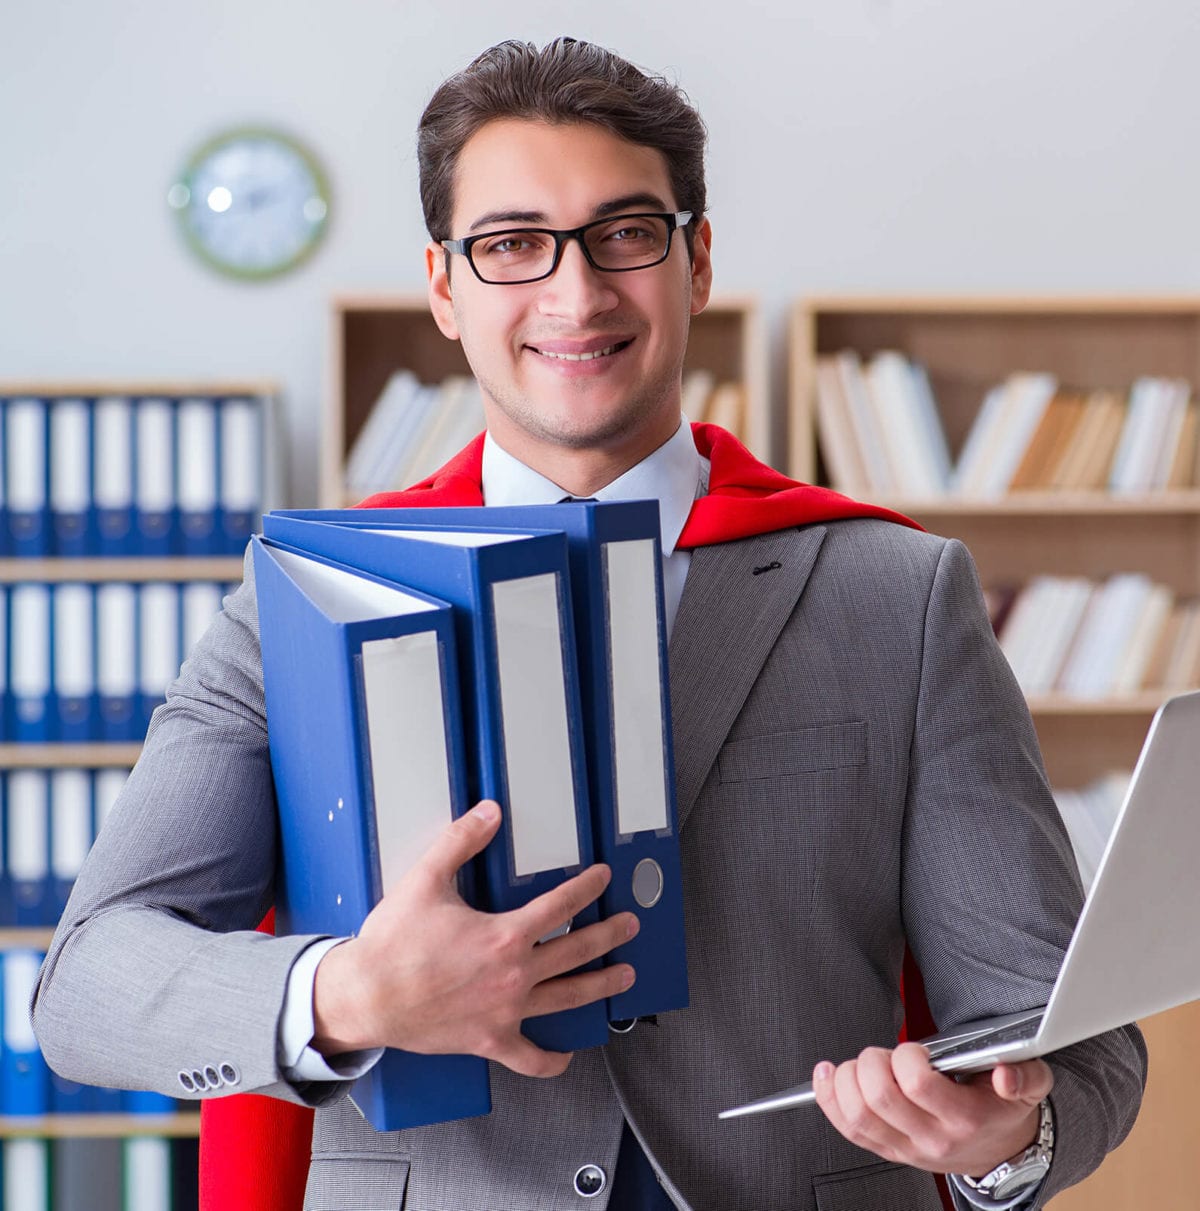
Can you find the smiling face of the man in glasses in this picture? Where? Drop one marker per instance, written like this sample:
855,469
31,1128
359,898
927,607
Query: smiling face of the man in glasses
539,408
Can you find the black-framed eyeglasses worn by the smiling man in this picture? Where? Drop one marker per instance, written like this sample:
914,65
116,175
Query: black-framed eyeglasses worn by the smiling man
529,255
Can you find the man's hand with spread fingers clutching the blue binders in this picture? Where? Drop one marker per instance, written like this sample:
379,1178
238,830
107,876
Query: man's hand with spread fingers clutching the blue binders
427,973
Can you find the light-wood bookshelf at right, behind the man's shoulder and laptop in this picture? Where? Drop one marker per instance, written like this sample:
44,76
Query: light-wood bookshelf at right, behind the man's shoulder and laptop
968,346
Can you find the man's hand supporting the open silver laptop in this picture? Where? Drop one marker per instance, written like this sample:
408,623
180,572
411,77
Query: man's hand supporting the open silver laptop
899,1107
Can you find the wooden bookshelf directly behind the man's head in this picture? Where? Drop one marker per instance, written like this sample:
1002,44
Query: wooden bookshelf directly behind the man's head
372,336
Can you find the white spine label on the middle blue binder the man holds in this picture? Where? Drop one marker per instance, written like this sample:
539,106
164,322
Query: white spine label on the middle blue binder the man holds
537,739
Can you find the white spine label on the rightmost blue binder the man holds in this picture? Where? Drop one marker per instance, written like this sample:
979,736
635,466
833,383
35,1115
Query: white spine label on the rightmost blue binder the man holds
636,690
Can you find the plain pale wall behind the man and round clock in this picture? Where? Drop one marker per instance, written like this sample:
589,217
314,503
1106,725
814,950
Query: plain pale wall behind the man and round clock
855,145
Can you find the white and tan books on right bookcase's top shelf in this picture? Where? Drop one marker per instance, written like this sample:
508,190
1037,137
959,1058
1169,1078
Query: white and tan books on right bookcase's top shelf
881,433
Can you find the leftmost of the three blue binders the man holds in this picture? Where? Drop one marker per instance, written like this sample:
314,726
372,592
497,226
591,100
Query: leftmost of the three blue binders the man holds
364,674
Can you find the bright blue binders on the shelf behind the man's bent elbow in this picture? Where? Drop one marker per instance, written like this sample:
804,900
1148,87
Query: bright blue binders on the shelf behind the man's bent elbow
28,1088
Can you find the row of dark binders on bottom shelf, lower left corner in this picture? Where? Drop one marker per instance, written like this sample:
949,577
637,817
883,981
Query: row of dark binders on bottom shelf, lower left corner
137,1174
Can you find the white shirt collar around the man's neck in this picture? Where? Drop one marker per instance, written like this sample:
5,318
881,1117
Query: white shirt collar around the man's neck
675,475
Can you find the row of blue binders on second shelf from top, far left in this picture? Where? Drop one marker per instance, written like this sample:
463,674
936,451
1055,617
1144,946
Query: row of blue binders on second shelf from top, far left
91,662
